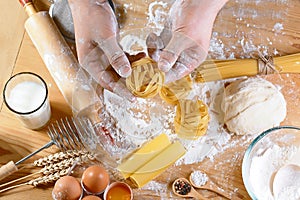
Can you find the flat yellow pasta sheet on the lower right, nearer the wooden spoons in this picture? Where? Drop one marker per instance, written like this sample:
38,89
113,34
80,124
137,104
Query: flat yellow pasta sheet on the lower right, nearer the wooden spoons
158,164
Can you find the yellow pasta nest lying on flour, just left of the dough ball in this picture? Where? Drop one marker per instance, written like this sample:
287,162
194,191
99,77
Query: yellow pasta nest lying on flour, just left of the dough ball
191,119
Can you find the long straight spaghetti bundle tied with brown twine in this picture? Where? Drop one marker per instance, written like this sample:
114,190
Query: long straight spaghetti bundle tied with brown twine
212,70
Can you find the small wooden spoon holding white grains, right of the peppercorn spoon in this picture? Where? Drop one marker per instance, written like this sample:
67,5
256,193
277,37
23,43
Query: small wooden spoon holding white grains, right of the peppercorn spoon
208,184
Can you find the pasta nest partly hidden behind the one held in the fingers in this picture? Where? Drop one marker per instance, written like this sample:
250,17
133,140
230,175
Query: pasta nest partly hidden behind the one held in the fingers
175,91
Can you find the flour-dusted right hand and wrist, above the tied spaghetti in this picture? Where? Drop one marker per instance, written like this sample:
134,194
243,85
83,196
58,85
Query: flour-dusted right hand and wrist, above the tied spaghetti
186,37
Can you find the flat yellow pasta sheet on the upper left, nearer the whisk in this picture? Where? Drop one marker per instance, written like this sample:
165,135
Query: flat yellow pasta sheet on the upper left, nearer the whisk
144,155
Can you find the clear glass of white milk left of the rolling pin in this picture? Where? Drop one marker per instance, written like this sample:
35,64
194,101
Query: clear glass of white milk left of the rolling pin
26,94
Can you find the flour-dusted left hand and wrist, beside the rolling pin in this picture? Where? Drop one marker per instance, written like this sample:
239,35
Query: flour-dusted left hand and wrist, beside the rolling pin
96,31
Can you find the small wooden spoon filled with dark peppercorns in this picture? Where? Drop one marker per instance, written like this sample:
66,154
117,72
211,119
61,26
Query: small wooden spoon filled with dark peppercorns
183,188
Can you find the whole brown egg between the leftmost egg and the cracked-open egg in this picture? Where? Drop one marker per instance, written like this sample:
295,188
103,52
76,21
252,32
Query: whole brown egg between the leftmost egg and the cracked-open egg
95,179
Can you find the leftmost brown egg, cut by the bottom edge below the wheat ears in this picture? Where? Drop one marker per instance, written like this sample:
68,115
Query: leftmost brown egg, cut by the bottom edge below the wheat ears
67,188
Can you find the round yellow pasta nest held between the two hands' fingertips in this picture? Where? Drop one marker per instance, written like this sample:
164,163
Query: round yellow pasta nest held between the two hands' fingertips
146,79
